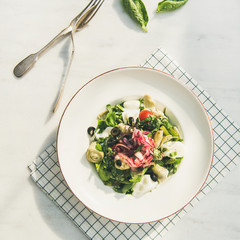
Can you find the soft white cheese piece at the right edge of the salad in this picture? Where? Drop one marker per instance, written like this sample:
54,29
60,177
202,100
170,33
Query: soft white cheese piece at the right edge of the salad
172,147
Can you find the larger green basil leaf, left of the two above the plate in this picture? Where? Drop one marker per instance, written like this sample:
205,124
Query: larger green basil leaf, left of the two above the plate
137,11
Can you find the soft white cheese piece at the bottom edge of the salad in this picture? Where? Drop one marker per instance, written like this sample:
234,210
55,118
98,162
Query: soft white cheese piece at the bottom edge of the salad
144,186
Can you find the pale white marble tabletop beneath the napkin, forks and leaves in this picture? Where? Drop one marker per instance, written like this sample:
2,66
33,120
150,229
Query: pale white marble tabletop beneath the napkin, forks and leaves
203,37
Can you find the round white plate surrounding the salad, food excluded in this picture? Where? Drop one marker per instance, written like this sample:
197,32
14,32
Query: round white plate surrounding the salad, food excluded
72,142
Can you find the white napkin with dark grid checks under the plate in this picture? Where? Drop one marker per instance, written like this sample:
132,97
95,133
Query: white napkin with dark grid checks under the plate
46,173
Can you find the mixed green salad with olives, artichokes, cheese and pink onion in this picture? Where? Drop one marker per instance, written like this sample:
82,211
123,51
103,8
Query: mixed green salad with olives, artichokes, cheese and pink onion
134,146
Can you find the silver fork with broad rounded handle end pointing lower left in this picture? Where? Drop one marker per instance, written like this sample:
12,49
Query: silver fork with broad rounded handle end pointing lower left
76,24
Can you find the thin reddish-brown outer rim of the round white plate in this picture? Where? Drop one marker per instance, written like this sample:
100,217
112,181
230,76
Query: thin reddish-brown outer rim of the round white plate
137,68
